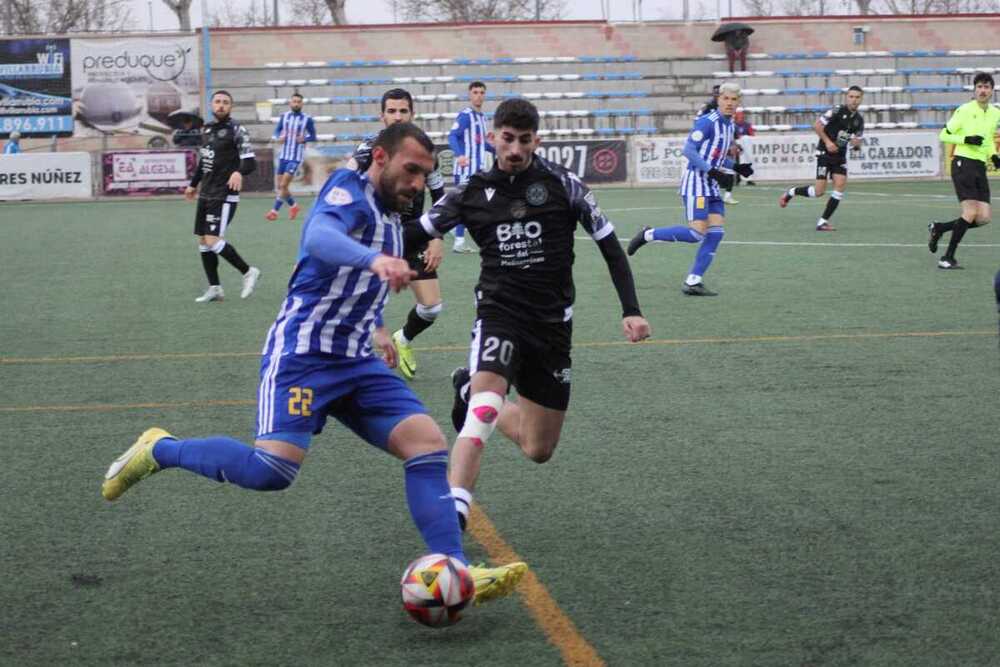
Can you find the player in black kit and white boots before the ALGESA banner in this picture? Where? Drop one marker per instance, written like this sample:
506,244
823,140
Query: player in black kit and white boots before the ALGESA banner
225,157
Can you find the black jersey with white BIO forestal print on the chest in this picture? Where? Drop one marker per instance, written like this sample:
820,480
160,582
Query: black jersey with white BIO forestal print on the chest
524,226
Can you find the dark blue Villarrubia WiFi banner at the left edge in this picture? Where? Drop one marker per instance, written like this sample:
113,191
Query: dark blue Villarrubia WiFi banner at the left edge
35,87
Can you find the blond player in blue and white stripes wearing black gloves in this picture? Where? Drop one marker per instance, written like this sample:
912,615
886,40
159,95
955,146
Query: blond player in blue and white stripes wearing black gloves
709,168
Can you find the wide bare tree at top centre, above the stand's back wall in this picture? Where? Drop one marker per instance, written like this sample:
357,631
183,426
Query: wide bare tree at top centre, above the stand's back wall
472,11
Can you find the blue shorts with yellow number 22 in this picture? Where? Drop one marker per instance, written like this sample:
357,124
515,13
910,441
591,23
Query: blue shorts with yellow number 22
298,392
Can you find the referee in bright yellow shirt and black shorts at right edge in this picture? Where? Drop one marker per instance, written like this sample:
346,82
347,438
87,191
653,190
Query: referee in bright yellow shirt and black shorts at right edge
971,128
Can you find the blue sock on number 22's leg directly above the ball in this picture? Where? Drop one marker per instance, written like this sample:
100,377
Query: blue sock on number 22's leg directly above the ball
431,504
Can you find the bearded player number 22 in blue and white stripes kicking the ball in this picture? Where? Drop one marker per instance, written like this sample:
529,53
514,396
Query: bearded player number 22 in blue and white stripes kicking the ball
318,360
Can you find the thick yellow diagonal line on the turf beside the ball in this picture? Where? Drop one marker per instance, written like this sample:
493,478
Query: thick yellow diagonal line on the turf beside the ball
557,626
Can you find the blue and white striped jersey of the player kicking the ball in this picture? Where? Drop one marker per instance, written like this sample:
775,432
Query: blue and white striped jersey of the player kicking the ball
331,309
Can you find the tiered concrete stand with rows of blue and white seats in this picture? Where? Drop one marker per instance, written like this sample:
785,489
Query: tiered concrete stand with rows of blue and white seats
597,95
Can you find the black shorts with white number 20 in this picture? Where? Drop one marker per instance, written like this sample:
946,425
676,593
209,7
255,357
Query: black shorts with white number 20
534,357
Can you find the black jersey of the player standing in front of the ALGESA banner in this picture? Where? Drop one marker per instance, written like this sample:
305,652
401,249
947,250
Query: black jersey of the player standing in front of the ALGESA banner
224,145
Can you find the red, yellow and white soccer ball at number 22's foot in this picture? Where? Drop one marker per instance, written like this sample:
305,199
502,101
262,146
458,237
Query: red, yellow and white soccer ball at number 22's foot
436,588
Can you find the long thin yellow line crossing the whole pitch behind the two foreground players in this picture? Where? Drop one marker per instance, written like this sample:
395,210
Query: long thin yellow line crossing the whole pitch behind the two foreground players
172,356
